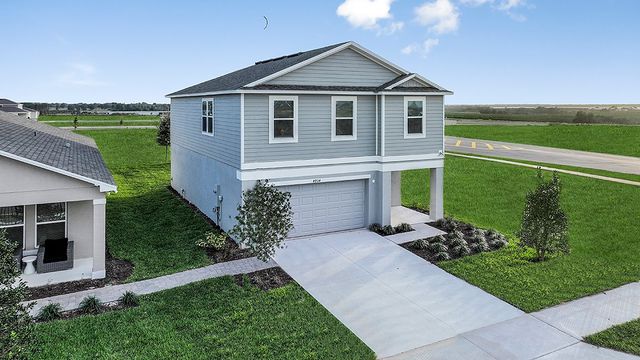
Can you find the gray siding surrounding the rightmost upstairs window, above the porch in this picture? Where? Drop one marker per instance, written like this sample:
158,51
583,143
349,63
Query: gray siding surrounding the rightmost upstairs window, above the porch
396,144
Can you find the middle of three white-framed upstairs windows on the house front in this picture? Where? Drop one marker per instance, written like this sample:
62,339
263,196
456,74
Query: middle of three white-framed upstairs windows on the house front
344,118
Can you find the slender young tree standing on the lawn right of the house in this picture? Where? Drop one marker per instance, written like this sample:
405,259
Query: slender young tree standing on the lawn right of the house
544,223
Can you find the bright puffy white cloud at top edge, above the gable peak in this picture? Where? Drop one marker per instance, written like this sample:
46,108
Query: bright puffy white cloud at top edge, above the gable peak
365,13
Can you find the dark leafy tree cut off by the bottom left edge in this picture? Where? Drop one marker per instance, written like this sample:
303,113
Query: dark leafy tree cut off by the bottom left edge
16,327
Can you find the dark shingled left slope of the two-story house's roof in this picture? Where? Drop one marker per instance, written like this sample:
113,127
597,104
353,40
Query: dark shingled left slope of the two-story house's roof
259,70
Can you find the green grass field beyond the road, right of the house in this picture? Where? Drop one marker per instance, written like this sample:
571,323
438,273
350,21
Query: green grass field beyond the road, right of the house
611,139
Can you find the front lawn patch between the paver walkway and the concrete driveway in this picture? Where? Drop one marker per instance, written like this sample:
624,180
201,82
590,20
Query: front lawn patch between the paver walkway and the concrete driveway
213,319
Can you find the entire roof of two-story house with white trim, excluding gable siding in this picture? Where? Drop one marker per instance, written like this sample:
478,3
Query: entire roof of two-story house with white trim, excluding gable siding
241,79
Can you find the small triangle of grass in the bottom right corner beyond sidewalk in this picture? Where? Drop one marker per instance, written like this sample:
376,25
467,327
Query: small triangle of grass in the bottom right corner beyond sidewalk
624,337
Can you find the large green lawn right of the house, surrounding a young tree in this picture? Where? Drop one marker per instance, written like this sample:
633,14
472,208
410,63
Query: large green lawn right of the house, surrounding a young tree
602,230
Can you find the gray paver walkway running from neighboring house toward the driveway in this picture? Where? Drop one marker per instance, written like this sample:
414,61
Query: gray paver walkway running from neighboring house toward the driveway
112,293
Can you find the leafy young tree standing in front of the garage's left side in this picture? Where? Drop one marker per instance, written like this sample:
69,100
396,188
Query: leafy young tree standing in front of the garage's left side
264,219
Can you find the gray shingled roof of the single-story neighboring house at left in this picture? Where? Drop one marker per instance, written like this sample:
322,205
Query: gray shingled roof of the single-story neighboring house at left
54,149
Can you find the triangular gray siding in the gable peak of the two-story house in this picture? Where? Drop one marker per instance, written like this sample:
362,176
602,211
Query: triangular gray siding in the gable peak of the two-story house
346,68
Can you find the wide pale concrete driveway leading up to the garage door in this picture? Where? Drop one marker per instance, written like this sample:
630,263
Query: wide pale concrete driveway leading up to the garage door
391,299
